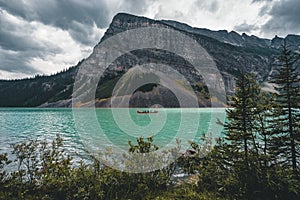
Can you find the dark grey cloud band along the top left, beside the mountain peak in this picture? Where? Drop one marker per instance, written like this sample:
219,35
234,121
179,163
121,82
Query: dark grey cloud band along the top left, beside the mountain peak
62,14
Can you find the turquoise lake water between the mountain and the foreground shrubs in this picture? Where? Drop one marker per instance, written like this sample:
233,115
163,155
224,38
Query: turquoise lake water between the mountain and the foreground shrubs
91,128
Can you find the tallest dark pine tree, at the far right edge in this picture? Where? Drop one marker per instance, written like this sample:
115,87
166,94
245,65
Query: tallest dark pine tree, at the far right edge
286,114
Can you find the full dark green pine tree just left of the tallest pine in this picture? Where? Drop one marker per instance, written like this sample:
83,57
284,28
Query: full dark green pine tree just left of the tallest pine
241,132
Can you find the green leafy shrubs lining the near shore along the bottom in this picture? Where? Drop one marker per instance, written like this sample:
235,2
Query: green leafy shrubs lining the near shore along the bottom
46,172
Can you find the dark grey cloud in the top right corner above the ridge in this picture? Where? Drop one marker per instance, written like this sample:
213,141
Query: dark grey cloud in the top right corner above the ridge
285,16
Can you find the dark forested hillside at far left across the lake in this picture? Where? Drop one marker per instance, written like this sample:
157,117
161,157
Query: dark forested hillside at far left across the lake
32,92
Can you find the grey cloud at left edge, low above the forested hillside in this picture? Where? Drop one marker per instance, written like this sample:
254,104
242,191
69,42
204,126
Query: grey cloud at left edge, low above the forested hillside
17,48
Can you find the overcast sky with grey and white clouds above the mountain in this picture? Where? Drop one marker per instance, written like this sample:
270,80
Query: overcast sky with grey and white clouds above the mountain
46,36
